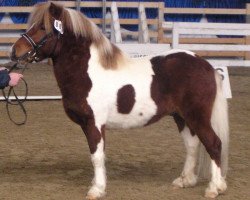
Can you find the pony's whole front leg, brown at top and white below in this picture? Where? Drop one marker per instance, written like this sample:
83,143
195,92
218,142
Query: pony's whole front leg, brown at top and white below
96,140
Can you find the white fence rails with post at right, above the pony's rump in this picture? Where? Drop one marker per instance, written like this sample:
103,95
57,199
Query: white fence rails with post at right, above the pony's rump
214,29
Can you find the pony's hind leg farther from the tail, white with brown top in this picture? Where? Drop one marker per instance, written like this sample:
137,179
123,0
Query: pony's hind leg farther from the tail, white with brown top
188,177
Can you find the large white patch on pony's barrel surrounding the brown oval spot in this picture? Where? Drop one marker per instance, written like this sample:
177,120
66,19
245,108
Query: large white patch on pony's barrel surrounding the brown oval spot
105,85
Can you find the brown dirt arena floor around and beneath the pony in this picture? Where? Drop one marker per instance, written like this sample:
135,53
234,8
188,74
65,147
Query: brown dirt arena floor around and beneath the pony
48,158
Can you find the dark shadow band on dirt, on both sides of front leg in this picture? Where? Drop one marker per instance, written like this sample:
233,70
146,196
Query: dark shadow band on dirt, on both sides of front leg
81,172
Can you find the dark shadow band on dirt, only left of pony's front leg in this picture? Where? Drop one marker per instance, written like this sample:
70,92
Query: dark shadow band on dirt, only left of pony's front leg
77,173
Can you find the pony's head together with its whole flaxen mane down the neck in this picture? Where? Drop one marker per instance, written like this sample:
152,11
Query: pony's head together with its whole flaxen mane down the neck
49,24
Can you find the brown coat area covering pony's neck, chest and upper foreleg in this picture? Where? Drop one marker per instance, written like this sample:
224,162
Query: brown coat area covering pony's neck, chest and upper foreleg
70,68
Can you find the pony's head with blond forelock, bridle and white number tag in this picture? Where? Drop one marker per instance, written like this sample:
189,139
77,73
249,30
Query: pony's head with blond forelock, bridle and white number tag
41,38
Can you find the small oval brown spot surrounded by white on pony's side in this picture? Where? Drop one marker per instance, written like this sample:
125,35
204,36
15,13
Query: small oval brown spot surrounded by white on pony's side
125,99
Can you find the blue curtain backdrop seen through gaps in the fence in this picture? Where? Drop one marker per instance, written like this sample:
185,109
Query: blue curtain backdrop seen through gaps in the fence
151,13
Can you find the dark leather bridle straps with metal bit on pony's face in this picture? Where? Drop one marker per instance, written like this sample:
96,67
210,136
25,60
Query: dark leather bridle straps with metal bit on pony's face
32,54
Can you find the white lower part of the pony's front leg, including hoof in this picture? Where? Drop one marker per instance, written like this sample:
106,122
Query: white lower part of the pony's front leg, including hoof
99,182
